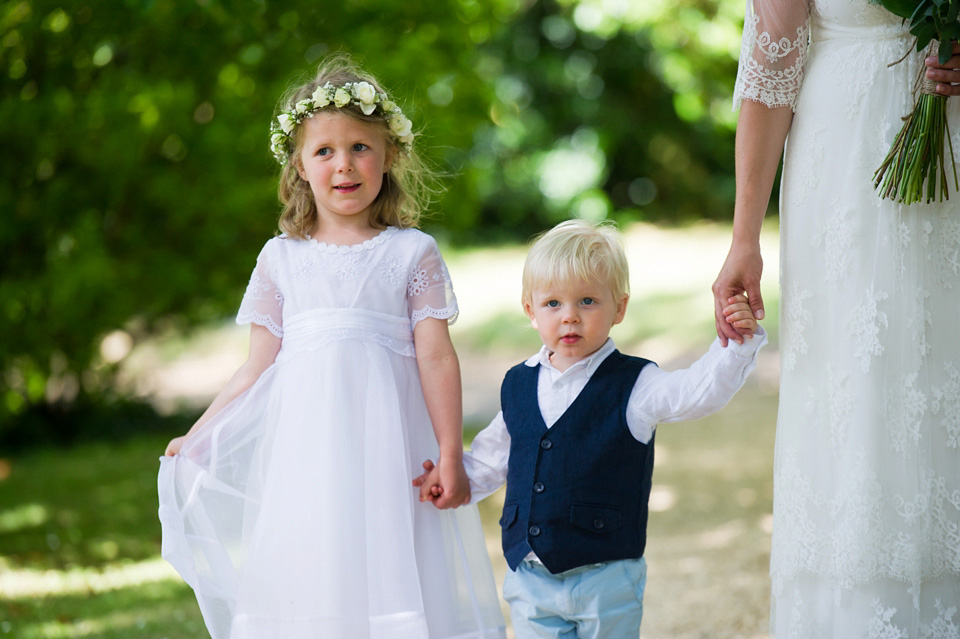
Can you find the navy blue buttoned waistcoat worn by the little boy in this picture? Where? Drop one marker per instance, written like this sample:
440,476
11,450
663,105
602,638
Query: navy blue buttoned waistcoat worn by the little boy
577,492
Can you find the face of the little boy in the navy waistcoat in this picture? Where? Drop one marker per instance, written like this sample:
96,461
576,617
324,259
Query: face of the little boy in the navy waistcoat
574,319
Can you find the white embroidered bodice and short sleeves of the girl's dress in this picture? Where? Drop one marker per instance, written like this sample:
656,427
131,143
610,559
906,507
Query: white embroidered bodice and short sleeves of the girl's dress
380,289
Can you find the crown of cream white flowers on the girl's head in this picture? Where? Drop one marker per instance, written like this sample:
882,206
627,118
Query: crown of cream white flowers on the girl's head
363,94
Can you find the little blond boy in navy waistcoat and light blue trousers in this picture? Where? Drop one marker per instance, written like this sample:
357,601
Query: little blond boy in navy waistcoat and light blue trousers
574,440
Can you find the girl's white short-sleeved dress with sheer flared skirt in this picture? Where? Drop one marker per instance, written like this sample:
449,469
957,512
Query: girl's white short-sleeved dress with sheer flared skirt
291,513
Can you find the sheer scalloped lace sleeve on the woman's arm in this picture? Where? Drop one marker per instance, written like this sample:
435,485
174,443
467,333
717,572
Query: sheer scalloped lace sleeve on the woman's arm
772,53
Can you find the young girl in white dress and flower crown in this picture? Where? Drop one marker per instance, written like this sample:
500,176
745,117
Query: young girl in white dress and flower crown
288,506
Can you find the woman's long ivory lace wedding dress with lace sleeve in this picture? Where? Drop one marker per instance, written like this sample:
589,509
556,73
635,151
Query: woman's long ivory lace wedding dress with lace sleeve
866,534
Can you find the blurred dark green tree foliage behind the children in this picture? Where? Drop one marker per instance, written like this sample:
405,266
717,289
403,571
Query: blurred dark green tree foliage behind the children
136,184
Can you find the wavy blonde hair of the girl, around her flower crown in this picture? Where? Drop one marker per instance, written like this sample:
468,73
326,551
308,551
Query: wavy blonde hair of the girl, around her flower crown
408,187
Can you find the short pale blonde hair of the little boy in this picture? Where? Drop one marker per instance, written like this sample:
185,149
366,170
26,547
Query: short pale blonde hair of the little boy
577,250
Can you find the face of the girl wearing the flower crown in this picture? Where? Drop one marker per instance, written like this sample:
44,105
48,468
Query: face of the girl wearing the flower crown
344,161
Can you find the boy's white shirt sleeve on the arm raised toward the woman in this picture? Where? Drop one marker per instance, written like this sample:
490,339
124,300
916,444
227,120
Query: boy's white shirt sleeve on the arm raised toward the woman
691,393
